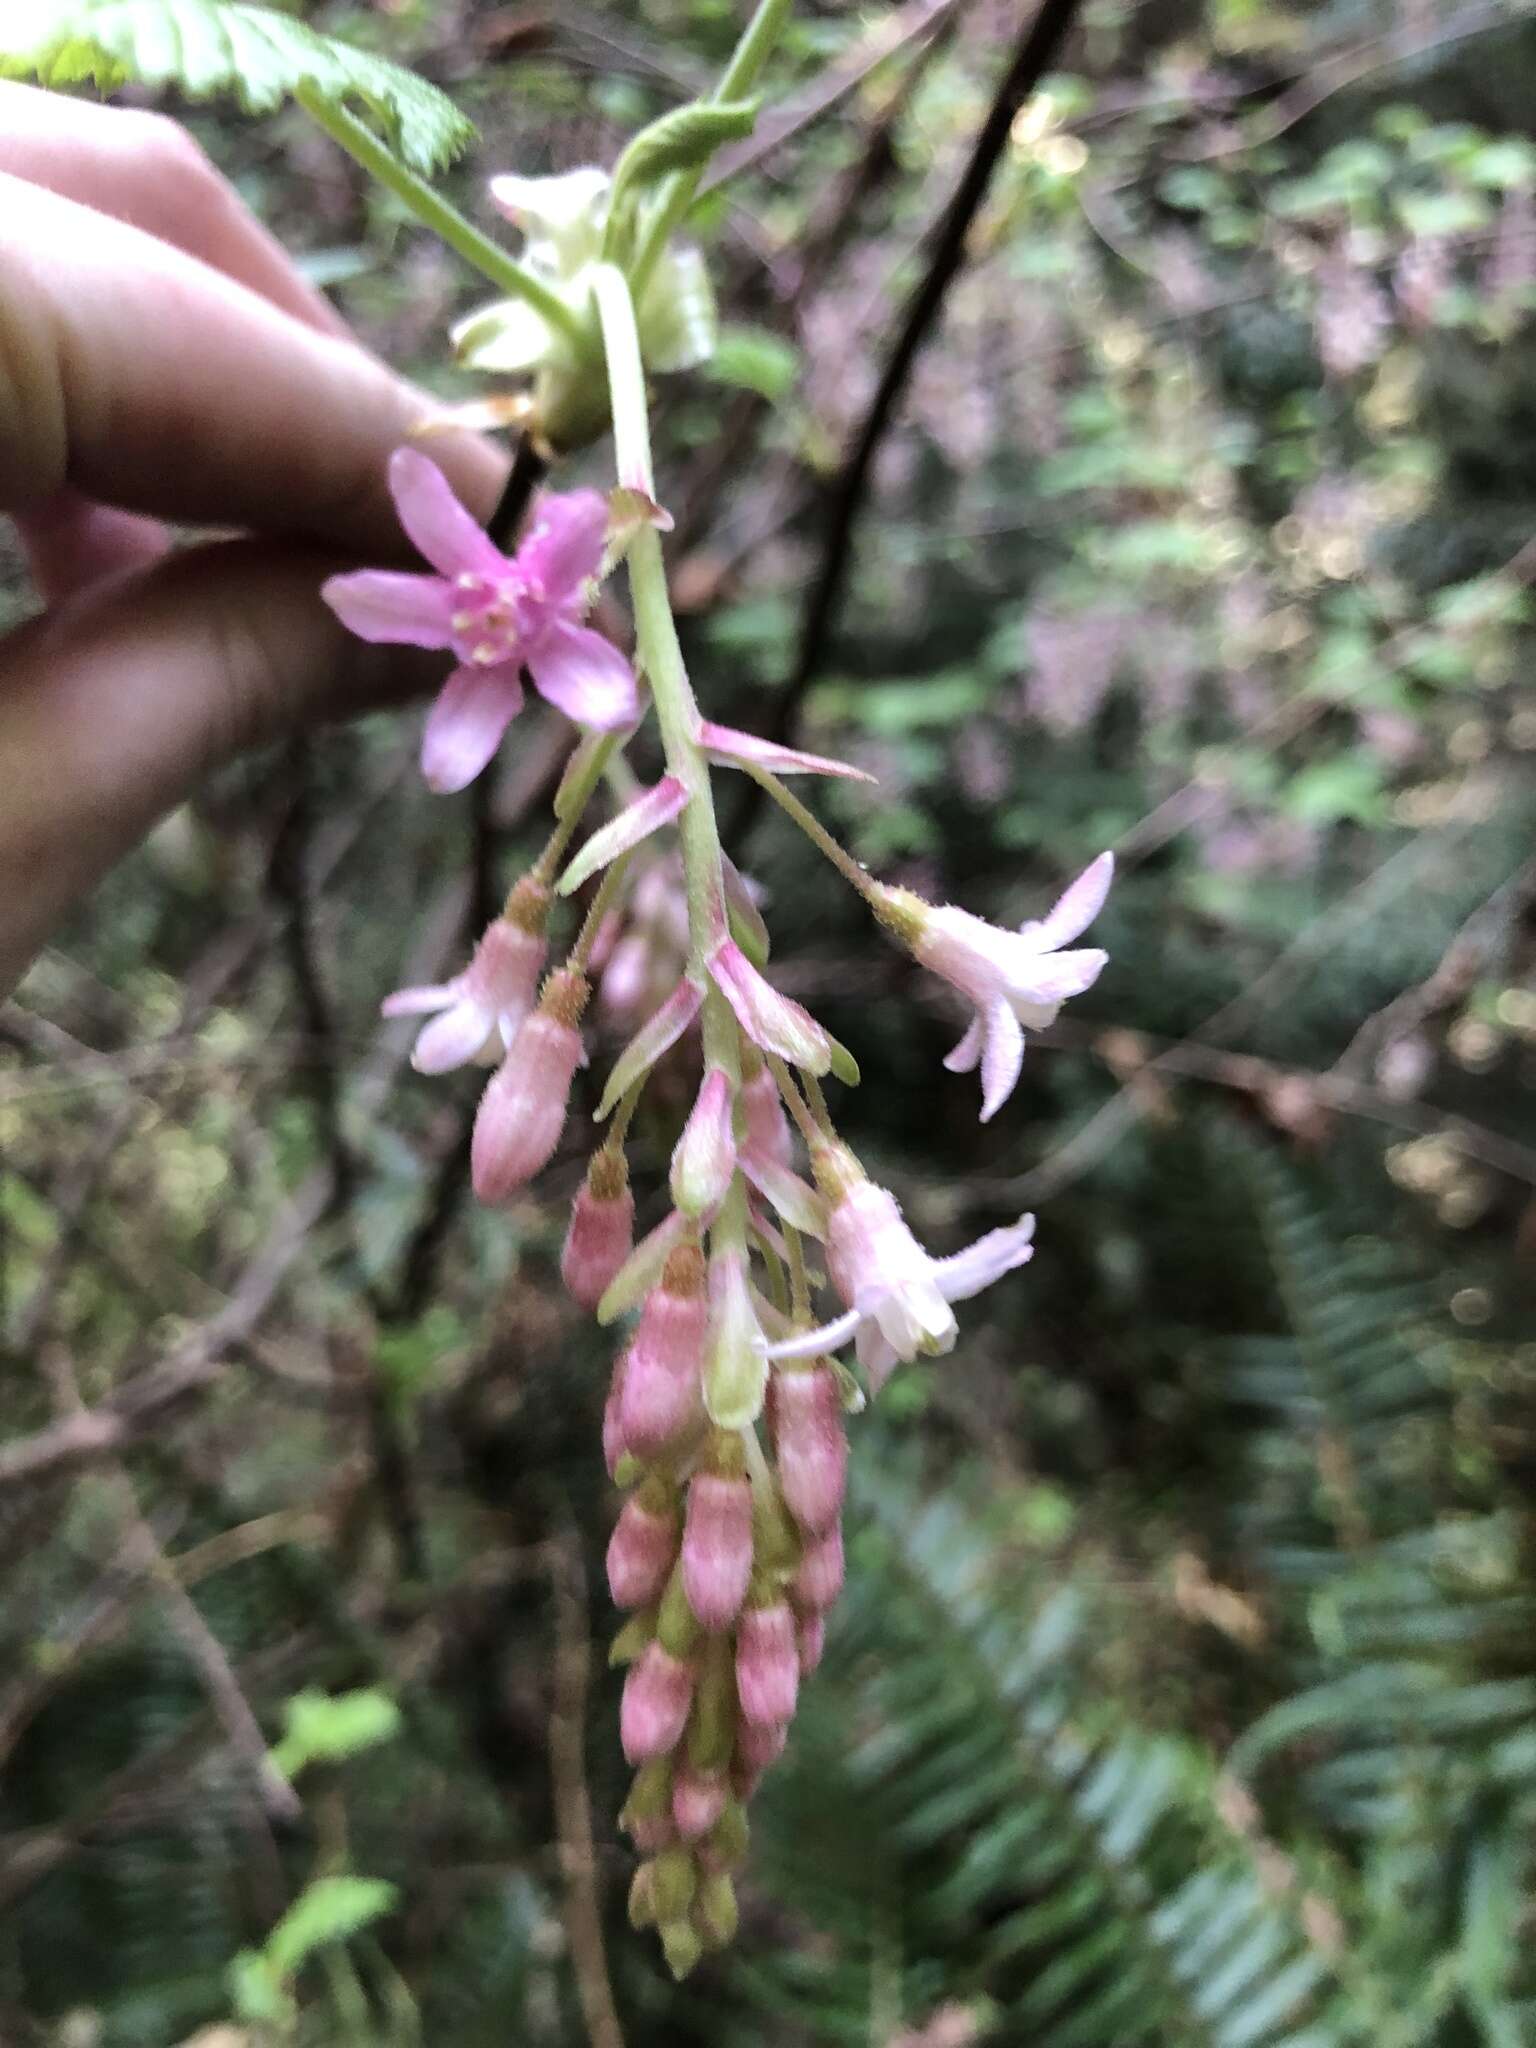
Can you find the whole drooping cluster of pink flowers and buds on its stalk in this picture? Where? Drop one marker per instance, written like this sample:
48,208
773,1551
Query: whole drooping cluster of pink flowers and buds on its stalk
724,1426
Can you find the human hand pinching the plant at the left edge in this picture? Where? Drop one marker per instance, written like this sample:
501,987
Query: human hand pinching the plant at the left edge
161,359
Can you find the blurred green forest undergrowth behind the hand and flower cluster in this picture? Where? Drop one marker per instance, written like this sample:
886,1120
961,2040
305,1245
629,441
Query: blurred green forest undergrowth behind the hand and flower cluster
1183,1693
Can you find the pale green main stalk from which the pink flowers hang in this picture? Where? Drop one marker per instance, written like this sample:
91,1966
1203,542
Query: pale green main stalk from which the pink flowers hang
660,656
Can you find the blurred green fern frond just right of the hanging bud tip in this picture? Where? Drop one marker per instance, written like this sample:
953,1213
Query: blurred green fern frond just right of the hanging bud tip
996,1814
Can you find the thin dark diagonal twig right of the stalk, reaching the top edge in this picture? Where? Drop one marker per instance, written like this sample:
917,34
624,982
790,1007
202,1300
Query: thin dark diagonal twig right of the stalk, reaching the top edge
1031,60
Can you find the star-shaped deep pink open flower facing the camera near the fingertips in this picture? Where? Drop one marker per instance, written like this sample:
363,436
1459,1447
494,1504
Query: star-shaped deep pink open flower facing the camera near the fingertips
499,613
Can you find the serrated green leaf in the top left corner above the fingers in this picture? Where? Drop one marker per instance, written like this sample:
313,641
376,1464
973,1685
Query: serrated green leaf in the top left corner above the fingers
206,48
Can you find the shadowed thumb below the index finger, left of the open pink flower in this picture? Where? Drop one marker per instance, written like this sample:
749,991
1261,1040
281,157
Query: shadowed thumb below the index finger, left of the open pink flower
118,703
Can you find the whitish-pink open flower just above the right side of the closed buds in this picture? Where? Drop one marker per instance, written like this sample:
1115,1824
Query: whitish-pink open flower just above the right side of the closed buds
898,1297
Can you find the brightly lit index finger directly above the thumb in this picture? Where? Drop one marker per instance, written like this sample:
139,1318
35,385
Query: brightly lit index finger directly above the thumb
153,382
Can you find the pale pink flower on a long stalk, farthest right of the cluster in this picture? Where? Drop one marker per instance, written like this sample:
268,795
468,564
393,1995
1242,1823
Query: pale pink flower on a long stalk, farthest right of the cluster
1011,978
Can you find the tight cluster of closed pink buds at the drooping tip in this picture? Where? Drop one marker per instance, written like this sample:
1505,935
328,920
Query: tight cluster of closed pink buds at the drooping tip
728,1580
